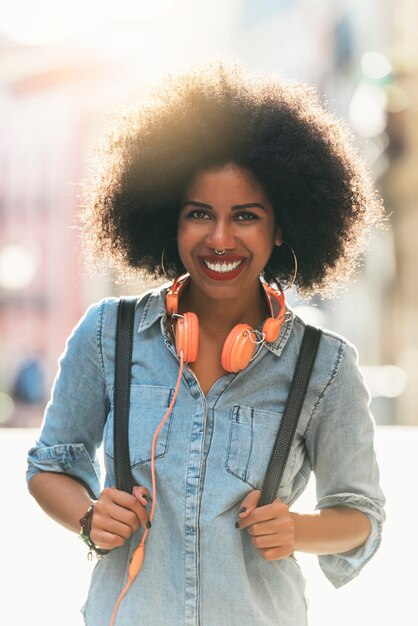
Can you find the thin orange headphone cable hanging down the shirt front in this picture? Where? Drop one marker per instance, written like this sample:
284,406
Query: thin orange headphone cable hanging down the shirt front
137,557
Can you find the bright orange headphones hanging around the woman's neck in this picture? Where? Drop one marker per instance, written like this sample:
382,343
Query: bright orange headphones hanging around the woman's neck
241,343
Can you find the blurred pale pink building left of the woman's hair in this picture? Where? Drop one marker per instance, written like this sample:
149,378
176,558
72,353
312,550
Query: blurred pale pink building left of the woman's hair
48,101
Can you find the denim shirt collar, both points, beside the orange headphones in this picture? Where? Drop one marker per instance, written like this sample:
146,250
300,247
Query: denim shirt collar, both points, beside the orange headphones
154,309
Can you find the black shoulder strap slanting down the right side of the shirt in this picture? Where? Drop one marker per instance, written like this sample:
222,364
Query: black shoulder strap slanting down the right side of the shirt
290,418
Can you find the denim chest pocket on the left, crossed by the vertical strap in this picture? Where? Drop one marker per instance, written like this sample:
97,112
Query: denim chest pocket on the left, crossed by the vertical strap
148,406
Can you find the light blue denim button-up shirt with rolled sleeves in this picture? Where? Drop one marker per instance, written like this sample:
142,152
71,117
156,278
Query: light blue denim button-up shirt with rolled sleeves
199,570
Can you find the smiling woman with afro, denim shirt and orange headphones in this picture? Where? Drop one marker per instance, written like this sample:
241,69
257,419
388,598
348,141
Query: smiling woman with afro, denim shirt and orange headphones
238,183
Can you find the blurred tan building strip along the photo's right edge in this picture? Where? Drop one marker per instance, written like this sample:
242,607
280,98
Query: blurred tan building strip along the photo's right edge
400,185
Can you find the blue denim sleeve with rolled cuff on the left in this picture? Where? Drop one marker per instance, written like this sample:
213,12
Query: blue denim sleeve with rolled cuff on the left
74,419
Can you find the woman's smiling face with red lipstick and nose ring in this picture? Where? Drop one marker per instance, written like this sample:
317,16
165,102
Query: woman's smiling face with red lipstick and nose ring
226,209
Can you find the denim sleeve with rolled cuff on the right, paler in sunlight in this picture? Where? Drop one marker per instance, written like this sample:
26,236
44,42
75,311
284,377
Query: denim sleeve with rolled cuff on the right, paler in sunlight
340,445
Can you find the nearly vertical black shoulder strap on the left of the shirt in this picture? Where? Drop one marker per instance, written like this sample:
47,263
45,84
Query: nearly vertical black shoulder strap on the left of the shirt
121,394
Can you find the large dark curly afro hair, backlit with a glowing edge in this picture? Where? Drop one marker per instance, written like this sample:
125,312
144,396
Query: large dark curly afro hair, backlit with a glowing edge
302,156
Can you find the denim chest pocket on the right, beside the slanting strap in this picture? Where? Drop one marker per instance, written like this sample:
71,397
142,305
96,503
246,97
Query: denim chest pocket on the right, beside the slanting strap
251,440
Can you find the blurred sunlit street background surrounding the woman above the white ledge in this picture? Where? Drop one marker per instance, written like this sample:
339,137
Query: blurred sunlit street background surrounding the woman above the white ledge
64,70
